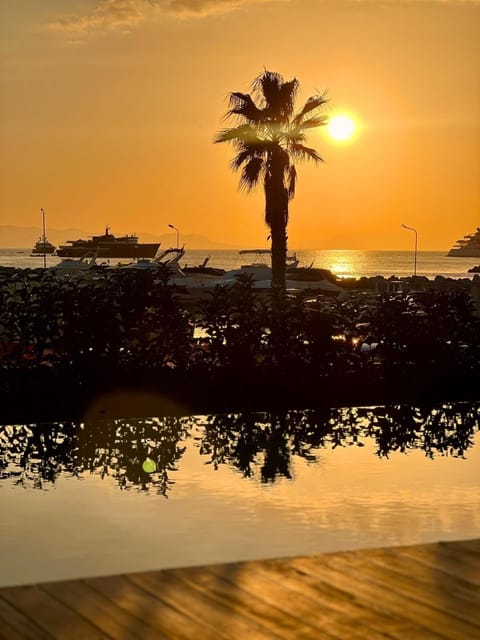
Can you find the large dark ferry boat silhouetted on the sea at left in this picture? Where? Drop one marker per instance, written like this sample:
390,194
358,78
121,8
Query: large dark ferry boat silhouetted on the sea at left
109,246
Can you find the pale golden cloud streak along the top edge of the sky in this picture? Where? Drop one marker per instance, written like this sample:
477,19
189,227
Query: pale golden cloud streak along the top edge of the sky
124,15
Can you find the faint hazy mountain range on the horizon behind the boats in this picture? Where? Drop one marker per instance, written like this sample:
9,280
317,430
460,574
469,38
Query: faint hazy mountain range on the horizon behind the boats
25,237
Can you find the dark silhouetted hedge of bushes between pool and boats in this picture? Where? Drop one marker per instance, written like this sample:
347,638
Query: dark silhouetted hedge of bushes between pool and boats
64,342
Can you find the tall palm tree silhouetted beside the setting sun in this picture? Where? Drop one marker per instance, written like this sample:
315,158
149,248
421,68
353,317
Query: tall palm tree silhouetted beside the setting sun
267,141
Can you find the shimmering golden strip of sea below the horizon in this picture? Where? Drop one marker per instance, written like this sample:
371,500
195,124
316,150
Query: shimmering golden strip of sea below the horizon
344,263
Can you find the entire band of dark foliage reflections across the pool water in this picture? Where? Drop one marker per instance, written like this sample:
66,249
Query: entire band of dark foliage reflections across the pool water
252,443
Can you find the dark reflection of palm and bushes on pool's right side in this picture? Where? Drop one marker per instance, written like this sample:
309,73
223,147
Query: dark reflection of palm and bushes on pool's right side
269,442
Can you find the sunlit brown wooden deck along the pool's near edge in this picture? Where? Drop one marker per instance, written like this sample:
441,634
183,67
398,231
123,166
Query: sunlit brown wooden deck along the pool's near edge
408,593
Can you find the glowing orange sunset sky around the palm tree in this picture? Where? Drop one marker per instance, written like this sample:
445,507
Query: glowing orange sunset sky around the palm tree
109,108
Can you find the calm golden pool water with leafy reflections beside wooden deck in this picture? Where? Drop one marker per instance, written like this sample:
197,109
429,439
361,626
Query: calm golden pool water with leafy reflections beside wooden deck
76,500
